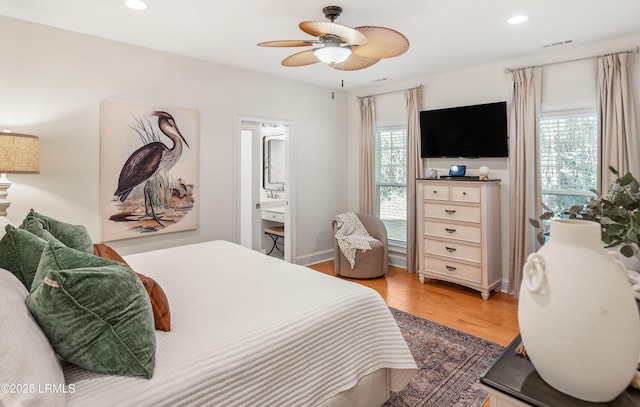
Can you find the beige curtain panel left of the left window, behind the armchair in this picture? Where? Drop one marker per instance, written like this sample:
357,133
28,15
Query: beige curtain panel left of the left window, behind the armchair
367,151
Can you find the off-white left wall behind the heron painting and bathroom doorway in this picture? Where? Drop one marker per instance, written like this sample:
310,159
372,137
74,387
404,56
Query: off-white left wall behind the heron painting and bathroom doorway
51,85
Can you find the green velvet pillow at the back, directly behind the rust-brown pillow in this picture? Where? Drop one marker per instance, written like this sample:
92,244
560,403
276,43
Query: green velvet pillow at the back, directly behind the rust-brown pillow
75,236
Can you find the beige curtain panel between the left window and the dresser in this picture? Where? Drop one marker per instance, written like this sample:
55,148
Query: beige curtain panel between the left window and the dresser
414,170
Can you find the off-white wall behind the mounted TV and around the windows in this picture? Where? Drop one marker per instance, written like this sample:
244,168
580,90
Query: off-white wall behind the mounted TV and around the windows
571,83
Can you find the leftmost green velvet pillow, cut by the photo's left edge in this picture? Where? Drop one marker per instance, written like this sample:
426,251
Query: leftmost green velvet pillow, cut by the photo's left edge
20,252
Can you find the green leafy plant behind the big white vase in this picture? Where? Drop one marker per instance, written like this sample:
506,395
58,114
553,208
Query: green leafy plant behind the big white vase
617,212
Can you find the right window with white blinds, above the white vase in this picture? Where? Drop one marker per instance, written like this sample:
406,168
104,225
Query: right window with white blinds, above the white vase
568,157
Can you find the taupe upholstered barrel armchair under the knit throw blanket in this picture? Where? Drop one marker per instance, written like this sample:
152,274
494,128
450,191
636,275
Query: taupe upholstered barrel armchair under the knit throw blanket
368,264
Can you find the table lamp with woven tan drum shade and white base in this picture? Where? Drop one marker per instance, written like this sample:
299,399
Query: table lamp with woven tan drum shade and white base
18,155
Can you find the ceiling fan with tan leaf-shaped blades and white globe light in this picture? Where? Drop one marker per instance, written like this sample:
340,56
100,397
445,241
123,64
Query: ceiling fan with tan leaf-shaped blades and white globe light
342,47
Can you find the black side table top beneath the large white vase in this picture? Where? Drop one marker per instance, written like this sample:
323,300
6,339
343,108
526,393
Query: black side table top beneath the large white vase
513,381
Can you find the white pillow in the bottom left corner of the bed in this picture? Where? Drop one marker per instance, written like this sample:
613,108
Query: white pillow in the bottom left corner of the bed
29,363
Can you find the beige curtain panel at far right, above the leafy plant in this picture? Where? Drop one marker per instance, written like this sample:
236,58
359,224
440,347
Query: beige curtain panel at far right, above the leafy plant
616,122
